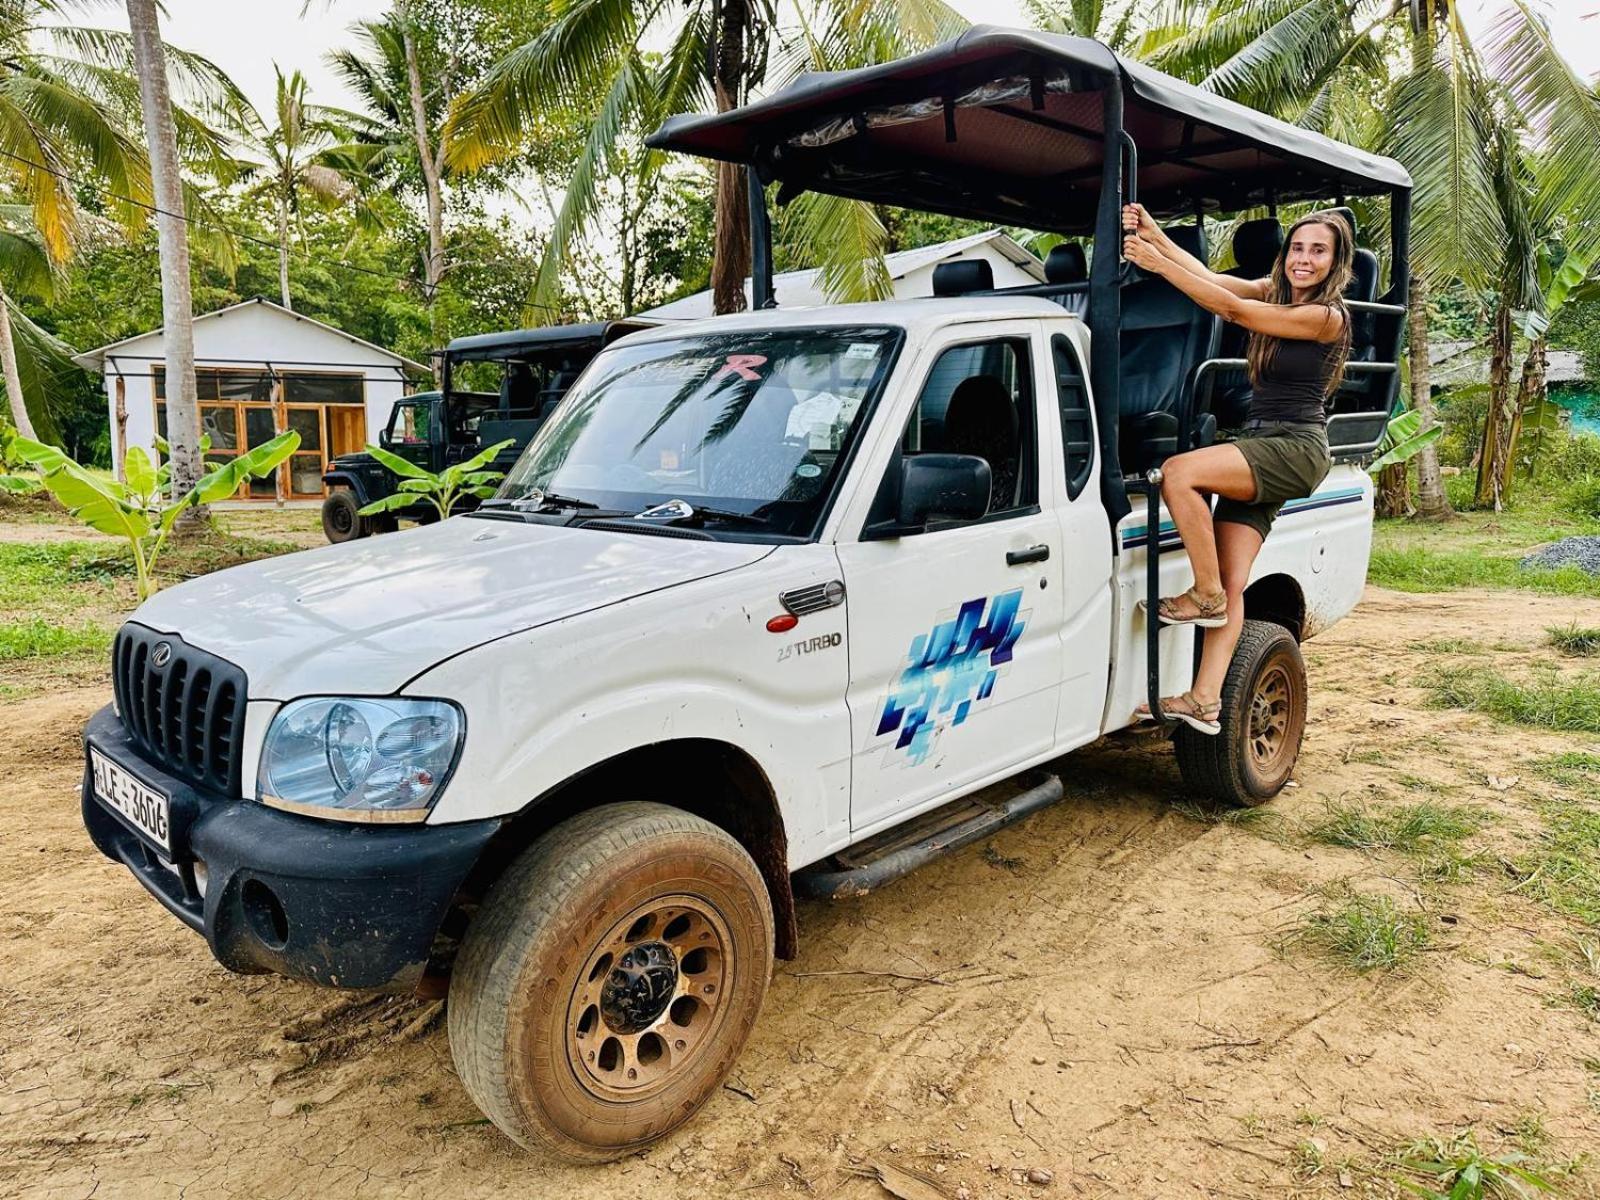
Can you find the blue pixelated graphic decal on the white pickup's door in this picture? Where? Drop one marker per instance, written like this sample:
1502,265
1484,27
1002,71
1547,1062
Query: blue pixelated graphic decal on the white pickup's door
950,670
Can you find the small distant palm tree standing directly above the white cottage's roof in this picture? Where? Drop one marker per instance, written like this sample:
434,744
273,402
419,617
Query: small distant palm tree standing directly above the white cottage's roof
310,151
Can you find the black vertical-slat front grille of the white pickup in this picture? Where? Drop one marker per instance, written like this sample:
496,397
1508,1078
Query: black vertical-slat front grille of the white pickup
188,714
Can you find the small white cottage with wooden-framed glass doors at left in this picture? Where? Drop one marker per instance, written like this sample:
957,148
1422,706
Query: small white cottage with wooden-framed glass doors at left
262,370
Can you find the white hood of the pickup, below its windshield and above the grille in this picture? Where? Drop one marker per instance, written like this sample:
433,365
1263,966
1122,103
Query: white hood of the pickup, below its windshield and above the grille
366,617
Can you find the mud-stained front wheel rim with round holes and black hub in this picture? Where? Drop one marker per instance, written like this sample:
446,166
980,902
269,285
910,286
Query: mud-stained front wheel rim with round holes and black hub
649,999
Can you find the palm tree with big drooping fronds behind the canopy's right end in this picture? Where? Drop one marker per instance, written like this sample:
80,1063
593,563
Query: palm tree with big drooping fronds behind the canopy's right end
1294,57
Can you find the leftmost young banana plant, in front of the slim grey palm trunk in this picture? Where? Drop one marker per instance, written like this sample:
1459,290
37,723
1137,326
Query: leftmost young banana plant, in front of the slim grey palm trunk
140,510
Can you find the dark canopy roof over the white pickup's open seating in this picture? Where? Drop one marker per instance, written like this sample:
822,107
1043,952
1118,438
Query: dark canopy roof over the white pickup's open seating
1007,126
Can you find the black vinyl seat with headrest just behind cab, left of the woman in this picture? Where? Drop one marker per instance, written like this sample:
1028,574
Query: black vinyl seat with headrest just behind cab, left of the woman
1166,337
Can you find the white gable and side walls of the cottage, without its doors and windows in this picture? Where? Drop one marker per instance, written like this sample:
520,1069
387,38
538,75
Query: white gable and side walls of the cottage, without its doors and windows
255,335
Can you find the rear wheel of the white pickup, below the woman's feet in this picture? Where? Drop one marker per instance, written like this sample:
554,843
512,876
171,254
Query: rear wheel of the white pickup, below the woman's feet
1263,722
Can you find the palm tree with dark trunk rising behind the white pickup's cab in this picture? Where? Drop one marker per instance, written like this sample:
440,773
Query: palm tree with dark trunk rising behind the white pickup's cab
716,52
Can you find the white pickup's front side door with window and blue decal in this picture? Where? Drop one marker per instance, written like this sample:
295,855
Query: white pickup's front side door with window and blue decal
954,631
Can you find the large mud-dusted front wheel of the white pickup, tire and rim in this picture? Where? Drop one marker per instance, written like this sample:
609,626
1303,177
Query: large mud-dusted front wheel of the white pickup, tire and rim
610,980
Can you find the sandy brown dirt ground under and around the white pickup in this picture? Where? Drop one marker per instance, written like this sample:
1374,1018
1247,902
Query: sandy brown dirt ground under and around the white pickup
1111,991
